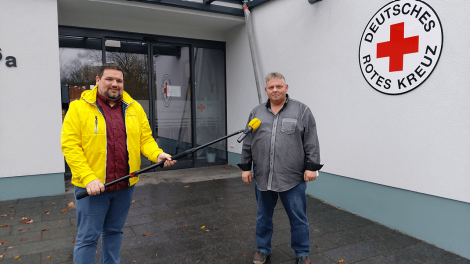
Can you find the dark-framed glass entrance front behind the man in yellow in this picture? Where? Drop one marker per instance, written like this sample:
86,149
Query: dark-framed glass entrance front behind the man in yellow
180,84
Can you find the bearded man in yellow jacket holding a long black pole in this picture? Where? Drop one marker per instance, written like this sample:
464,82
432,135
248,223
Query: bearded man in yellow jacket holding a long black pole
102,137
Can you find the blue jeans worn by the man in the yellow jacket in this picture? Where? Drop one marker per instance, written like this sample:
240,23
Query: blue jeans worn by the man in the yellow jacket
103,214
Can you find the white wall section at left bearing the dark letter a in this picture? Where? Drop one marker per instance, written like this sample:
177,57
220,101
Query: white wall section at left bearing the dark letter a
30,93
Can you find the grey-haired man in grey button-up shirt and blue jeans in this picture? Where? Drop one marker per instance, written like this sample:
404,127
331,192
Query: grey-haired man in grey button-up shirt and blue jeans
285,154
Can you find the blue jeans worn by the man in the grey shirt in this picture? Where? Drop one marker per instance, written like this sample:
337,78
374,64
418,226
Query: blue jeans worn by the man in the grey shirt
295,204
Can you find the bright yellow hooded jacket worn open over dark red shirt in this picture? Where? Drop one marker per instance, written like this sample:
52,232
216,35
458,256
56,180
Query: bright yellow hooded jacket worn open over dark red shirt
84,143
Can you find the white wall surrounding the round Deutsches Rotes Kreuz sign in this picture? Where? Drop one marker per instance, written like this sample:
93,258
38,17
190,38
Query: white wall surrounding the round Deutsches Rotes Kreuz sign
417,141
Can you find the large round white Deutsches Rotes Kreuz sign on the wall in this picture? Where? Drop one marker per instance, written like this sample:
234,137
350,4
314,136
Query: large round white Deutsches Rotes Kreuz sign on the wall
400,46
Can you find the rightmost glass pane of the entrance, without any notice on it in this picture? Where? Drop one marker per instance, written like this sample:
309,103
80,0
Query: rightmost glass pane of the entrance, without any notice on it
210,104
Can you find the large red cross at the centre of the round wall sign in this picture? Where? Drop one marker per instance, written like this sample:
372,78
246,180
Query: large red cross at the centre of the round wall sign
397,47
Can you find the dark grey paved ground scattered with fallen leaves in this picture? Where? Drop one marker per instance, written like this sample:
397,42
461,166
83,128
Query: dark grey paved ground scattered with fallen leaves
204,215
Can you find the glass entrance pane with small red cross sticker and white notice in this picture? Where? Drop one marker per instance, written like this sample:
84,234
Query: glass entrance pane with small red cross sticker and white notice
172,86
